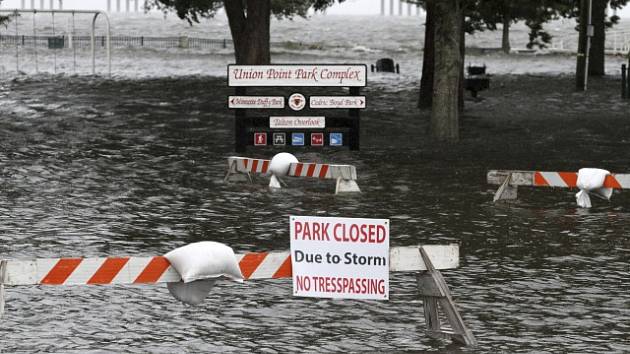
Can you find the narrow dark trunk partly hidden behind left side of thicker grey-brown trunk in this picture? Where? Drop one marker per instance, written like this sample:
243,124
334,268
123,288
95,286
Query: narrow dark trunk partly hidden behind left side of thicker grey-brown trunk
428,58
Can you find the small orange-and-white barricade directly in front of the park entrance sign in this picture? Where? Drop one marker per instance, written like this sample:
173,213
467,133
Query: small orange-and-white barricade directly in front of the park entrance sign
345,175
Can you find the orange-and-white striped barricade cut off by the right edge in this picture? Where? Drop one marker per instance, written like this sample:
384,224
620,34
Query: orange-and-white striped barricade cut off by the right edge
510,180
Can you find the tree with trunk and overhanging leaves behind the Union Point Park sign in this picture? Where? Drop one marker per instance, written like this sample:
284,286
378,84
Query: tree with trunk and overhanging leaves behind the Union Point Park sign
249,20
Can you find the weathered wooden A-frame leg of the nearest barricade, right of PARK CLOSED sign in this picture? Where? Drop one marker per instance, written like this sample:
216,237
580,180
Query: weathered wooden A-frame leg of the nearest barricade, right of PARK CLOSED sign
435,295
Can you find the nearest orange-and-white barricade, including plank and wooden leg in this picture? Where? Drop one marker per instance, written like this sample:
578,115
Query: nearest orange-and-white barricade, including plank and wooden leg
428,259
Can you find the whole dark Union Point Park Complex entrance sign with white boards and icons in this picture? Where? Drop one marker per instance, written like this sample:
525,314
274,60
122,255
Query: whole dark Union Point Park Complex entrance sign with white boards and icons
311,128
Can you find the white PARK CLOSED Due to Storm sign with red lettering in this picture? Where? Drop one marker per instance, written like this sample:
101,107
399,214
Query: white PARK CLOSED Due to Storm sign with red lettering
346,258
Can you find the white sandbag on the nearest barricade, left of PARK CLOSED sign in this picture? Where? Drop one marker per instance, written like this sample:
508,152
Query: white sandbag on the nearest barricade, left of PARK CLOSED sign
203,260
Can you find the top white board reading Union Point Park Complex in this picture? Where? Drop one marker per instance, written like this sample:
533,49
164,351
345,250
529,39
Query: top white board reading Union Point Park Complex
331,75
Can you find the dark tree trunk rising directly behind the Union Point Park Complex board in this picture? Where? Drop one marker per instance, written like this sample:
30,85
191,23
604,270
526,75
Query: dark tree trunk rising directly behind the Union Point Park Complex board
250,30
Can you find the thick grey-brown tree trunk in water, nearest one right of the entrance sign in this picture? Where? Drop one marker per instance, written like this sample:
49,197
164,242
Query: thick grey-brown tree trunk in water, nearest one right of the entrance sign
445,111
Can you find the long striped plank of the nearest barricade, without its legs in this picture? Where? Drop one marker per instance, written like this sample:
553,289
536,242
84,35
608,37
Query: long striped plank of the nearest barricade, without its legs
152,270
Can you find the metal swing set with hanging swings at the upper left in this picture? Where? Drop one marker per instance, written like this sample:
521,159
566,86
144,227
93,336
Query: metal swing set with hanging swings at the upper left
16,12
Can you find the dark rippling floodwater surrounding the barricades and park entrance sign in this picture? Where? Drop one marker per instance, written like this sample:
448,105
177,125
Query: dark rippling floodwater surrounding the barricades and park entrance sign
91,167
